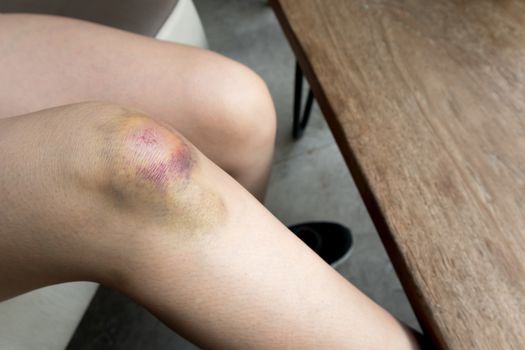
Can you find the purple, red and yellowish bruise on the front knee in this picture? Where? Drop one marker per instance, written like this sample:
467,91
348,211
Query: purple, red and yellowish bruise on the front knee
155,174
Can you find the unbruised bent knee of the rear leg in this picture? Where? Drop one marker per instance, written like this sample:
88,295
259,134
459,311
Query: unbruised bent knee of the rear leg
239,114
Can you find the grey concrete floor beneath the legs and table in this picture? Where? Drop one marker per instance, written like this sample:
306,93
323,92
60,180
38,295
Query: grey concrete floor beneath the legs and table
309,181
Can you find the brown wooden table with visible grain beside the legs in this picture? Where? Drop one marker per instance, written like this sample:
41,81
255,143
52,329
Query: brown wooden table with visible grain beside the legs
426,100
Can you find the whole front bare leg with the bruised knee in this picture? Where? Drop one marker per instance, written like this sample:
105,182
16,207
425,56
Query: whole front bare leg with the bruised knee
124,200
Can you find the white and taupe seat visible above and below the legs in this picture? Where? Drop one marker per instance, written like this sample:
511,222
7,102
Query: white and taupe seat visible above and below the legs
45,319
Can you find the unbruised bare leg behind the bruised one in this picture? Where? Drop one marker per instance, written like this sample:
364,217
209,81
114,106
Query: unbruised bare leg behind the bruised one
219,105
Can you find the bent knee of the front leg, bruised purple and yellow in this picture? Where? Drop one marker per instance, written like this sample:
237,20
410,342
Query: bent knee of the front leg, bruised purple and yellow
149,171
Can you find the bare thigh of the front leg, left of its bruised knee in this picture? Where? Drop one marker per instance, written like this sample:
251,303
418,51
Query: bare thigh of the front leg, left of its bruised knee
49,160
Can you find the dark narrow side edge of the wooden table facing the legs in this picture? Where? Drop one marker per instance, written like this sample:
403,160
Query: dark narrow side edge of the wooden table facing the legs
421,308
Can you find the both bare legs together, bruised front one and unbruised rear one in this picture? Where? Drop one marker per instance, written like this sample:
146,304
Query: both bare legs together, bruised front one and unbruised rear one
95,192
